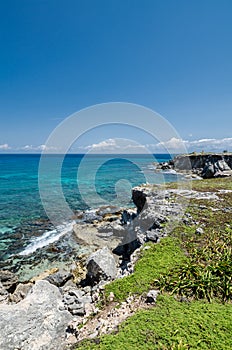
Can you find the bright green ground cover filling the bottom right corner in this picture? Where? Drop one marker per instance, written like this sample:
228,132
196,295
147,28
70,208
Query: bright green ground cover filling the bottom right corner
172,325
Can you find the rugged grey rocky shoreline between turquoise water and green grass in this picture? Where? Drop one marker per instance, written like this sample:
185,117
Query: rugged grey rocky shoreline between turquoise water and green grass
60,307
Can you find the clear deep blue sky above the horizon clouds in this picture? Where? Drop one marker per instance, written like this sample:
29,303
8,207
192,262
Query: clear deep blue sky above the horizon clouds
58,57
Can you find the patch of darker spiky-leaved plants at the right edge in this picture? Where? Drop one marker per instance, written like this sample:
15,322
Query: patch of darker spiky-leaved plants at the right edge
208,271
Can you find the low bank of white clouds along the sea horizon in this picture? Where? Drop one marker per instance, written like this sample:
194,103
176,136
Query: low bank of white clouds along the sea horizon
123,146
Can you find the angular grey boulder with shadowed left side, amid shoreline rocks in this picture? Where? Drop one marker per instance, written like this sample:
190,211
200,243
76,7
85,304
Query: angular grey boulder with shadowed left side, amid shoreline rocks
101,265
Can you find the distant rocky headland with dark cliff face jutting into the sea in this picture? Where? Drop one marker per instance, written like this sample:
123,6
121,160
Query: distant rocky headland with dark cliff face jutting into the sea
205,165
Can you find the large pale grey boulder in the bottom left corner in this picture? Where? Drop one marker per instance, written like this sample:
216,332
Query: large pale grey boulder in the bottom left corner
36,322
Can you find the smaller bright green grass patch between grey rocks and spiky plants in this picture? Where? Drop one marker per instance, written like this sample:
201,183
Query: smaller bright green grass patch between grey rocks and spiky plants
156,260
